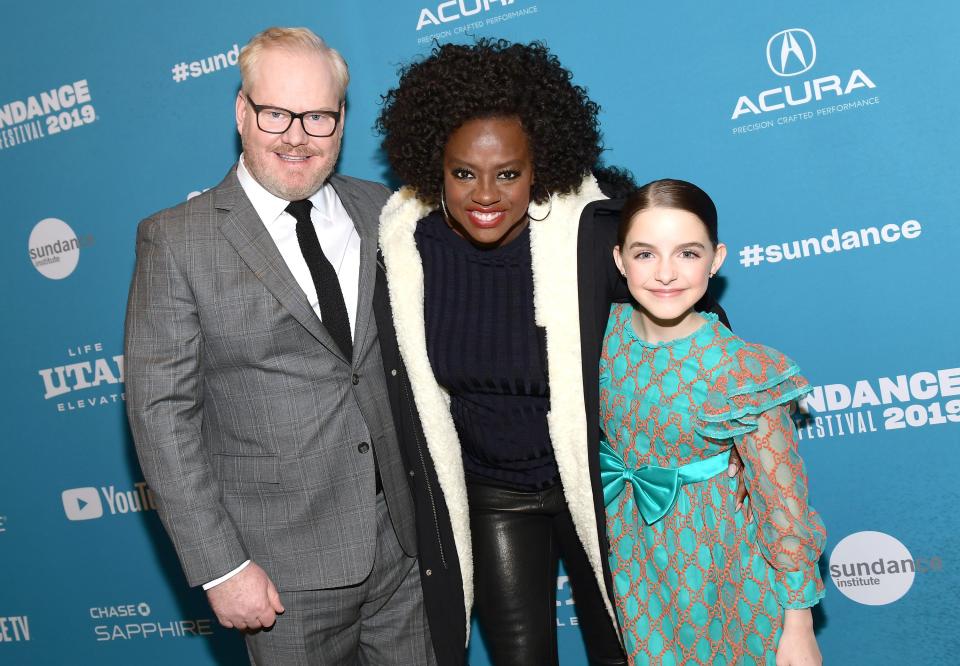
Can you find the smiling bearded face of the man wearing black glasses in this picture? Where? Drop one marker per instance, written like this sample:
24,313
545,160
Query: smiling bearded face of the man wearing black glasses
292,165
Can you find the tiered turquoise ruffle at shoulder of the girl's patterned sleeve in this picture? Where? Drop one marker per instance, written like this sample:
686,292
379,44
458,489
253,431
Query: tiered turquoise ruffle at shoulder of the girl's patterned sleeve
758,379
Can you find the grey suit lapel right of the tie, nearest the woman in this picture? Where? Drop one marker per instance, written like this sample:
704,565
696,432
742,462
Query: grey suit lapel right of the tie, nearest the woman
364,219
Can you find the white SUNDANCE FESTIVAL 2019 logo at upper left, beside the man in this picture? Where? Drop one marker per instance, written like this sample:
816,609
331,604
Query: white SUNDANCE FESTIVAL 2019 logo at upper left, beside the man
54,111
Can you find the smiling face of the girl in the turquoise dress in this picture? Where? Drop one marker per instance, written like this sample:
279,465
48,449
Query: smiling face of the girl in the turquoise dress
668,258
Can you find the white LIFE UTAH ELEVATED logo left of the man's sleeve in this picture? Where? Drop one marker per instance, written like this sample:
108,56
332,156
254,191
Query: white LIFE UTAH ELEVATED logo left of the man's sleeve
91,378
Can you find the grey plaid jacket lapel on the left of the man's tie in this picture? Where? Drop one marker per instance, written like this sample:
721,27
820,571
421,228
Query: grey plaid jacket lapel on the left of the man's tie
244,230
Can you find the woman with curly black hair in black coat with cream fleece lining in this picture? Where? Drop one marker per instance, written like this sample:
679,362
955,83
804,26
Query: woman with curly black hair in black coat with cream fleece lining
498,262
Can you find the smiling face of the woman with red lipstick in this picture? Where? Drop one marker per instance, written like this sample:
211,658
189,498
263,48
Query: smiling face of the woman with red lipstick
487,176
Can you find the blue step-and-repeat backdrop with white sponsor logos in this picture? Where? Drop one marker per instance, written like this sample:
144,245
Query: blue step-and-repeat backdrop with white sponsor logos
825,131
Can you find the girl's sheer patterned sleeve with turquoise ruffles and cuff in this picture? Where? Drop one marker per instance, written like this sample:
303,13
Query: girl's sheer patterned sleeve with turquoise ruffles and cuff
751,404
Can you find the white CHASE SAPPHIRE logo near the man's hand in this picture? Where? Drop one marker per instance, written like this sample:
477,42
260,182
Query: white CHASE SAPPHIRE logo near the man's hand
135,621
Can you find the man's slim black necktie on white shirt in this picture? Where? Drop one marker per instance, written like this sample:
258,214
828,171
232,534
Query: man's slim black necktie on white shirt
333,310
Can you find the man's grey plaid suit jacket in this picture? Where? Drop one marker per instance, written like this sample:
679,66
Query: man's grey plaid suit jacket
252,429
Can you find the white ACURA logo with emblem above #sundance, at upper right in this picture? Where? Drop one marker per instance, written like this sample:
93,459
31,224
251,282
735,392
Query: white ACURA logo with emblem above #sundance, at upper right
790,54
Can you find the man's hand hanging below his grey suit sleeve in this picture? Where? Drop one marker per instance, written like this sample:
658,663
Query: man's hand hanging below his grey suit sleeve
248,601
